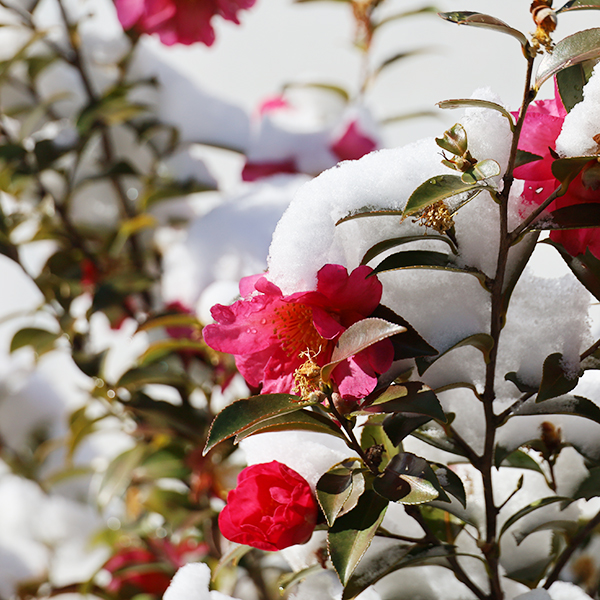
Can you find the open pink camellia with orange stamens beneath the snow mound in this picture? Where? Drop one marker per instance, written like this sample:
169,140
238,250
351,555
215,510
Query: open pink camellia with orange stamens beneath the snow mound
271,335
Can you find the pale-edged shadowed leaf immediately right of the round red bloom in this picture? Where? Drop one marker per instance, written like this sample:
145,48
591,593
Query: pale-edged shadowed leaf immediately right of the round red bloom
336,486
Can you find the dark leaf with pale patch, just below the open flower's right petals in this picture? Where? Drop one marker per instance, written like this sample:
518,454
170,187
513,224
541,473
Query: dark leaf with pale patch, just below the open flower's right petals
410,397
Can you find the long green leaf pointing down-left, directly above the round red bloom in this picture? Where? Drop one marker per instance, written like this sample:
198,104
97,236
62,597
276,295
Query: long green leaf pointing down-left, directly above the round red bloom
242,414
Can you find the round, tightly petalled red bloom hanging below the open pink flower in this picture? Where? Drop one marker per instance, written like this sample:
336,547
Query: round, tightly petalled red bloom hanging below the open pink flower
271,508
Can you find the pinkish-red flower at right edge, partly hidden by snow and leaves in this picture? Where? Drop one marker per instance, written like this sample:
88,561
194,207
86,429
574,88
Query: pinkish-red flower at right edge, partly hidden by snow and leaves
542,125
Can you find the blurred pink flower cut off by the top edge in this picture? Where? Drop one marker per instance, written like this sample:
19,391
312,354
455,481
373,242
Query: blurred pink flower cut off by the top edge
178,21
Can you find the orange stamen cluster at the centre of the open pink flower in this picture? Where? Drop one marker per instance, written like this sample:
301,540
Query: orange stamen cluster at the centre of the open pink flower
295,330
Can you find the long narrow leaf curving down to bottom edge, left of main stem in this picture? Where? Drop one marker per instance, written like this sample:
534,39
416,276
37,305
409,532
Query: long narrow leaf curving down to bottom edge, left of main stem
390,560
